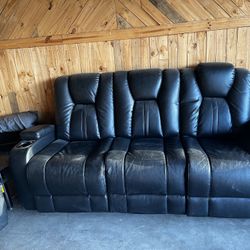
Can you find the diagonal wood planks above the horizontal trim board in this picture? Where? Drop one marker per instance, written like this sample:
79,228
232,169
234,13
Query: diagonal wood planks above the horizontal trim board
31,19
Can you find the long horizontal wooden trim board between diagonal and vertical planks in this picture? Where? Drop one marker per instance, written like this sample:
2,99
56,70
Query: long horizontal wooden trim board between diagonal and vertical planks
119,34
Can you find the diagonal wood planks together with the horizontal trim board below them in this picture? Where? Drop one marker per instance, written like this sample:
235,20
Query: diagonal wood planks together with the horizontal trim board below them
30,23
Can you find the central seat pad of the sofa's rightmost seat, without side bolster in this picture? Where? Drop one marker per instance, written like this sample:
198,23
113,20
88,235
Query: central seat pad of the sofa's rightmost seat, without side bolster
230,165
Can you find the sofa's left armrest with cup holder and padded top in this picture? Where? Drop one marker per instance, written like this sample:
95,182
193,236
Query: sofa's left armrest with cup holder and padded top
21,154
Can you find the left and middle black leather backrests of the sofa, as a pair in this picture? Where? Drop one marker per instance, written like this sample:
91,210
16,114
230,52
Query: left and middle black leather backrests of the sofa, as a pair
141,103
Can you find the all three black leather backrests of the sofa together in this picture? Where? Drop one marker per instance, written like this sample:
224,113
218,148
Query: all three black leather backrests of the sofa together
211,100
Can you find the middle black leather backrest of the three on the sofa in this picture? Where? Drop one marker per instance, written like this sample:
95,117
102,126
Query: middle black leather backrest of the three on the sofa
146,103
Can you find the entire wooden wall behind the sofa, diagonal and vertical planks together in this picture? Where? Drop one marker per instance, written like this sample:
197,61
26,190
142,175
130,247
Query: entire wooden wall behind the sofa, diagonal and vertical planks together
40,41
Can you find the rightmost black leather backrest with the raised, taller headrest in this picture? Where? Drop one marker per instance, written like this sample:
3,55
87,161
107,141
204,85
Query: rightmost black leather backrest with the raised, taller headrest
214,99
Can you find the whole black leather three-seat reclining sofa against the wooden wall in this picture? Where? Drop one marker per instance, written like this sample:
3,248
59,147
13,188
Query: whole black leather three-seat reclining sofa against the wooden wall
142,141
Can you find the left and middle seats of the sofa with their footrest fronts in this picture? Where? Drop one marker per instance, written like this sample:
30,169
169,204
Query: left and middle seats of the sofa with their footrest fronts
143,175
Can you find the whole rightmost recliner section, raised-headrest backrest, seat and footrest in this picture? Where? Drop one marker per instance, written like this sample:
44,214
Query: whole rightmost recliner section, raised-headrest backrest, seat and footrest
215,102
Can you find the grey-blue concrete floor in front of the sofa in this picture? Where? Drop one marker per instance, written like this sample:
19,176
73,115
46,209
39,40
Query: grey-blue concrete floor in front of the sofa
32,230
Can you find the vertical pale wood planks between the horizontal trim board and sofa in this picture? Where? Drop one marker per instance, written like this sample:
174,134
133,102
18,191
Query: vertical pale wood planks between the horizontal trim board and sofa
28,74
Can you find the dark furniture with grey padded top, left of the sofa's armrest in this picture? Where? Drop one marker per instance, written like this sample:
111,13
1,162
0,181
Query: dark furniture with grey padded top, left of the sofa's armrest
10,128
